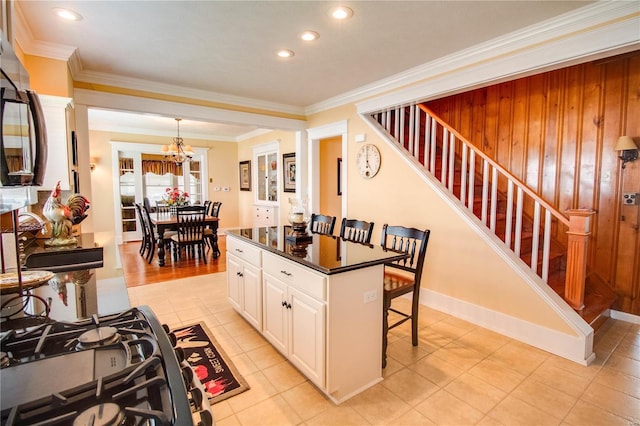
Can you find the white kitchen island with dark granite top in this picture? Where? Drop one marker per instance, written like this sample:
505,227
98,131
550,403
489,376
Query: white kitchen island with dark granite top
319,303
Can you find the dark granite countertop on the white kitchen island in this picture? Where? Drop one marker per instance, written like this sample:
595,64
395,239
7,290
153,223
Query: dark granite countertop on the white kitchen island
325,254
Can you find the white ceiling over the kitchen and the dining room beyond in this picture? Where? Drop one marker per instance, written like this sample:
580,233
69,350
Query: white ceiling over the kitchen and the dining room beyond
225,50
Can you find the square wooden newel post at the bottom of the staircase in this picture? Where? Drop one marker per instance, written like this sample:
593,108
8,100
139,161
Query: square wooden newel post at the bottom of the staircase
578,240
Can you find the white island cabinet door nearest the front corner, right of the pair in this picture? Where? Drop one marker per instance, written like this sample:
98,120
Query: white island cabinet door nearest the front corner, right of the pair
307,335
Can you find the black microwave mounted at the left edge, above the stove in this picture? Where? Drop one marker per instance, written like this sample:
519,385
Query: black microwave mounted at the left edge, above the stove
23,141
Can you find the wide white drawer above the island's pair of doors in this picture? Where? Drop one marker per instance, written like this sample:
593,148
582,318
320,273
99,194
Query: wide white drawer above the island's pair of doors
294,275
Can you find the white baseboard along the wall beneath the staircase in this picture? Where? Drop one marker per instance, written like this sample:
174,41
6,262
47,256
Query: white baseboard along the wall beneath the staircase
576,348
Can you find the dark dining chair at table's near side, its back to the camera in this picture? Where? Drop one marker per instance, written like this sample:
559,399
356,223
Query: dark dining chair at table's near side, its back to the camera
190,232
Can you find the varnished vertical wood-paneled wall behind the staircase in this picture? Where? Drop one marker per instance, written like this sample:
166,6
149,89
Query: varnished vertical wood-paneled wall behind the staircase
556,132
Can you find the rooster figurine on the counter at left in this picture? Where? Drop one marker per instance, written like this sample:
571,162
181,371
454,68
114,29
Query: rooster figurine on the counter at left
64,216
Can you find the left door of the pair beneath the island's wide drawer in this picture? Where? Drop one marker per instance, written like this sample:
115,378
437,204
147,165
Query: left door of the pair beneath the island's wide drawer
275,322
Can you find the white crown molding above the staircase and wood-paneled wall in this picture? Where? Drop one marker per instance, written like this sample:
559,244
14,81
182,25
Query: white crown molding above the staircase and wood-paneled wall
591,30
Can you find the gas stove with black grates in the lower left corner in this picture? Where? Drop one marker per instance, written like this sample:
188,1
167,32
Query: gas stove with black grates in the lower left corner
120,369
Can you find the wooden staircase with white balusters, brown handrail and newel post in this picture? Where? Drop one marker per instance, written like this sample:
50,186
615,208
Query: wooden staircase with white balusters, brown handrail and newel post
552,244
